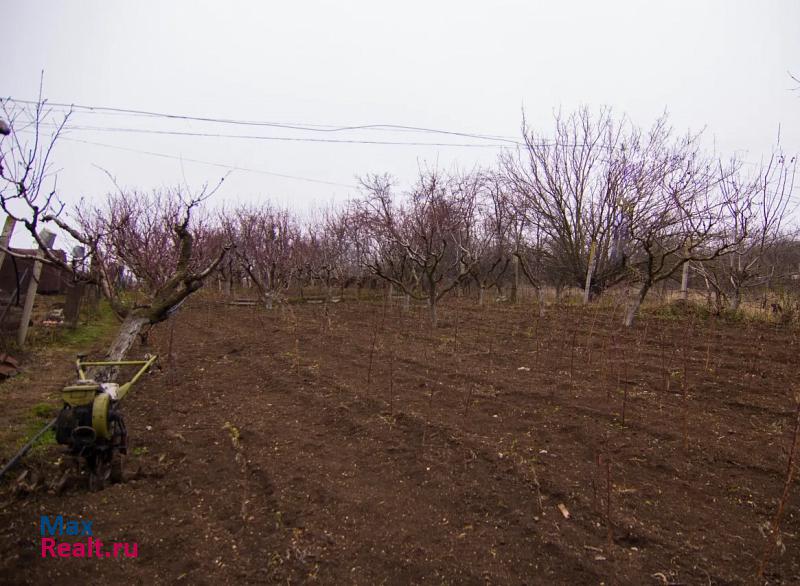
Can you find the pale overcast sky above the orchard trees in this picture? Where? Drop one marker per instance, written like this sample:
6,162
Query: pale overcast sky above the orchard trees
462,66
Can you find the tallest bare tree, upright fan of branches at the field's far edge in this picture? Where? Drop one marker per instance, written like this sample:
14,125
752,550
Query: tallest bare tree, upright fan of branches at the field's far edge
570,187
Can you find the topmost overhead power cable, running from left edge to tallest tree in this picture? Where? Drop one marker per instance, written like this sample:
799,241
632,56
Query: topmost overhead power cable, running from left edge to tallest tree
288,126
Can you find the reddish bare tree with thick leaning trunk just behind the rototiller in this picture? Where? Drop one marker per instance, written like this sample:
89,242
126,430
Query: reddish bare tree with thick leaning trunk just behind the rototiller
158,238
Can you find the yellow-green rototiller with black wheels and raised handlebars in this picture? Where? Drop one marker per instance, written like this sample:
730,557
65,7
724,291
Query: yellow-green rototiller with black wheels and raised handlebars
91,425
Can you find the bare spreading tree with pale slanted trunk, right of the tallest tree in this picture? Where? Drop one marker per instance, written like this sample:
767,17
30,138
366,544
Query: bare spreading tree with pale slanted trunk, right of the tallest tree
672,212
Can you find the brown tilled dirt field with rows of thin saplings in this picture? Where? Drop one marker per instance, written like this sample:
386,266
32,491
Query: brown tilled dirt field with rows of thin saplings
354,444
